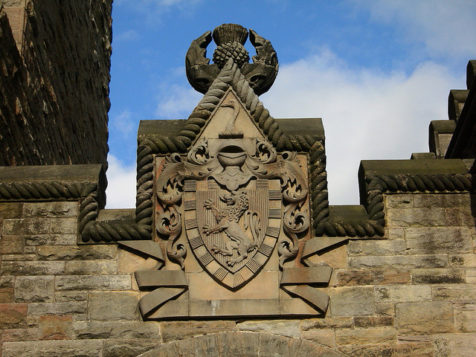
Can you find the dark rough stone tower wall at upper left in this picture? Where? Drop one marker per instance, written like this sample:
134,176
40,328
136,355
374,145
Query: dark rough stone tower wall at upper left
54,81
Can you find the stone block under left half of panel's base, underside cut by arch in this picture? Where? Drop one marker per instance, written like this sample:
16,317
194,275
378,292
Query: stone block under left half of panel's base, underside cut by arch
180,330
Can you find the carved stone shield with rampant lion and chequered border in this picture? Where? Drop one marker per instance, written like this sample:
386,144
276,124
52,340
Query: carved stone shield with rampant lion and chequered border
232,235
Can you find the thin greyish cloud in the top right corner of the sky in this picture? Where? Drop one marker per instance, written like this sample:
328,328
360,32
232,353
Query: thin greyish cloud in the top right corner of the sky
445,27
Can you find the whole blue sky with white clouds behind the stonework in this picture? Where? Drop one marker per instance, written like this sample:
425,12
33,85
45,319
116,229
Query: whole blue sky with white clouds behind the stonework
377,72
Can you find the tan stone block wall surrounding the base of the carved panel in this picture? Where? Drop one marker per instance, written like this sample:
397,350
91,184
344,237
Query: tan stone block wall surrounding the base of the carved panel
412,292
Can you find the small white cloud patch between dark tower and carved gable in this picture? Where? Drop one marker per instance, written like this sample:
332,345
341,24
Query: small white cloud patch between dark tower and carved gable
121,188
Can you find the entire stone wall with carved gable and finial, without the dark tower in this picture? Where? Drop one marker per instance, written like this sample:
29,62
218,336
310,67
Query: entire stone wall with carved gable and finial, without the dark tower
232,248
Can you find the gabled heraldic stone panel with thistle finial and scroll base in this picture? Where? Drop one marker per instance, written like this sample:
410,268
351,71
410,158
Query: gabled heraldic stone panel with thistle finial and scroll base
231,203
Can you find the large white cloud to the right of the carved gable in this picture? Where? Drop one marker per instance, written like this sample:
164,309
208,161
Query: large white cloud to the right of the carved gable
366,114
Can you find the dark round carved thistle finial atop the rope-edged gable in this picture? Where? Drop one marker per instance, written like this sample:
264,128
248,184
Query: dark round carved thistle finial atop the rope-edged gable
230,39
